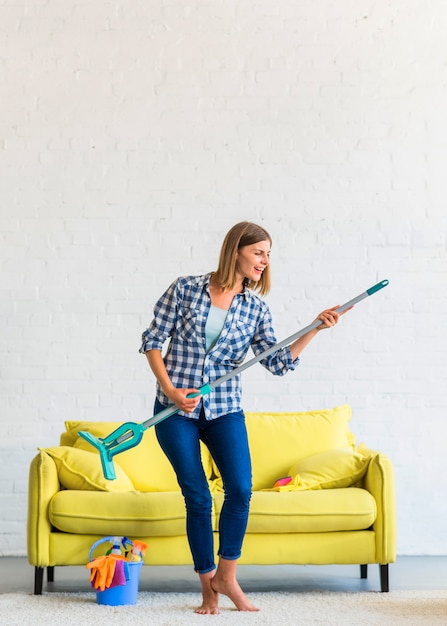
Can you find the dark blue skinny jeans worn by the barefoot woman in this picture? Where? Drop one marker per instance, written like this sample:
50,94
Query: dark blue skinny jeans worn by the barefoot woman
226,439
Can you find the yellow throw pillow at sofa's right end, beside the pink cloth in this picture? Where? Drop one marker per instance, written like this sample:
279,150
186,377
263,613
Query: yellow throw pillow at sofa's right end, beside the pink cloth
333,469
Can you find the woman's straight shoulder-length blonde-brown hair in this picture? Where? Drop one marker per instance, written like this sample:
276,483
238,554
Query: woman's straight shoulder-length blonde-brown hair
239,236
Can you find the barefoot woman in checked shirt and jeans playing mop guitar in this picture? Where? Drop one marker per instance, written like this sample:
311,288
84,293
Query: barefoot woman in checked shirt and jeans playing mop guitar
212,321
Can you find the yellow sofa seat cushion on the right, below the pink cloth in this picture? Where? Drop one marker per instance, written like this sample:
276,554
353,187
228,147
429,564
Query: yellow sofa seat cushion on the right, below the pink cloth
309,511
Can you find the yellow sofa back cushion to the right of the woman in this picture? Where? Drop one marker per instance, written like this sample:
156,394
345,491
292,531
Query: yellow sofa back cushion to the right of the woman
278,440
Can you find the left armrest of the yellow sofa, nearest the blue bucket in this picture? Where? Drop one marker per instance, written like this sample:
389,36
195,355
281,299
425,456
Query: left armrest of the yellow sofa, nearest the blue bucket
43,484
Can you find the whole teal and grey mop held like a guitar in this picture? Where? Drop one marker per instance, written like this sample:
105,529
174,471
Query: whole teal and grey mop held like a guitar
130,434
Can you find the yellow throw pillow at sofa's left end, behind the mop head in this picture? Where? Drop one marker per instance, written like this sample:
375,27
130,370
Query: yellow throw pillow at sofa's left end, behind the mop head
82,470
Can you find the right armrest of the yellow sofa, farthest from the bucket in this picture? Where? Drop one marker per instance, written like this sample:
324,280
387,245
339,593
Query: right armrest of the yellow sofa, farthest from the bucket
379,481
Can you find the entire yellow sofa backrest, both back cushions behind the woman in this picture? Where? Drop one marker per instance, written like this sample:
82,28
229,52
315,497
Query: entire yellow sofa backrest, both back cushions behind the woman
277,441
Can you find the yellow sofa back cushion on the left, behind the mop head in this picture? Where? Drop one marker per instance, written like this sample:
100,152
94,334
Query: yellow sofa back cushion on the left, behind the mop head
145,464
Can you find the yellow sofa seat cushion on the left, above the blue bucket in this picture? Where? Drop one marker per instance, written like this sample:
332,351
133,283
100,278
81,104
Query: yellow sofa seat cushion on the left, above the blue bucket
130,514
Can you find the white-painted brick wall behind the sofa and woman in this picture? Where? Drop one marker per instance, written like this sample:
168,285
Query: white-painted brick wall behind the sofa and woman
134,134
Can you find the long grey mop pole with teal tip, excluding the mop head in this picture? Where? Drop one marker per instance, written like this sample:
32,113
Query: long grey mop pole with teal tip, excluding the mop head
277,346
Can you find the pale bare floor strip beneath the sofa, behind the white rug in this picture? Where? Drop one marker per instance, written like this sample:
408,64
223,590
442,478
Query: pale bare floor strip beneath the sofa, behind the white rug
409,572
